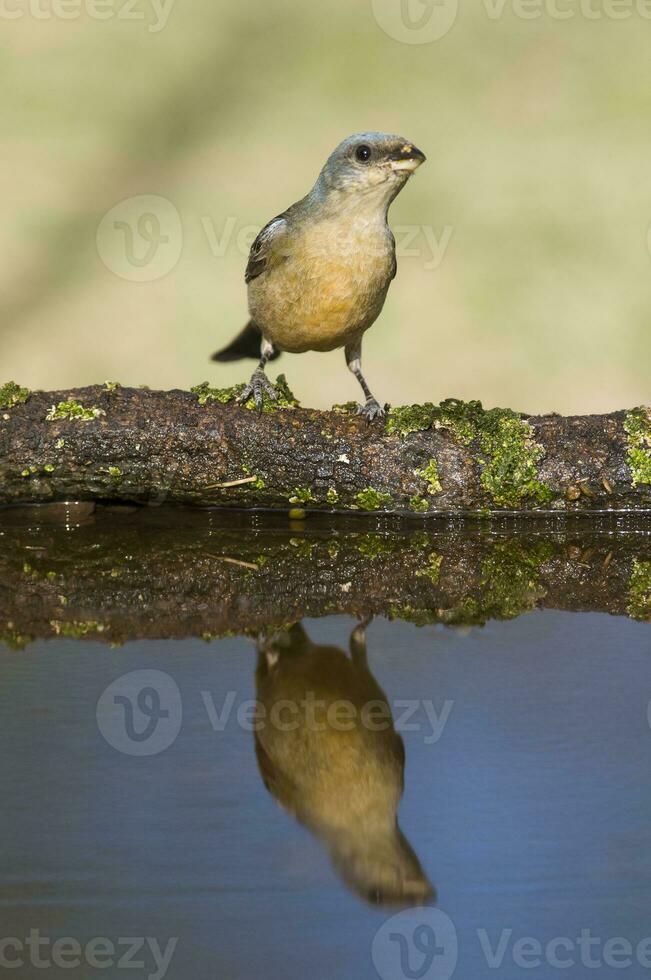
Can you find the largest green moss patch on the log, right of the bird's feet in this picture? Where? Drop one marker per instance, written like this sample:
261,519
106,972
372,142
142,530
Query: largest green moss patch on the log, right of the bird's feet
510,454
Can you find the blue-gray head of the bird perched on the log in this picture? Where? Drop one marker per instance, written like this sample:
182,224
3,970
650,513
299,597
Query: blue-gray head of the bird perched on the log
370,164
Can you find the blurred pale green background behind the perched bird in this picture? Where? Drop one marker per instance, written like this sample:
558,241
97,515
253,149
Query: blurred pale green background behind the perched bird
537,188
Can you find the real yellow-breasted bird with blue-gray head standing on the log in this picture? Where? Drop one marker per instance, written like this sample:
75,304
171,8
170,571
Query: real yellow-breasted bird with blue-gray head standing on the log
318,274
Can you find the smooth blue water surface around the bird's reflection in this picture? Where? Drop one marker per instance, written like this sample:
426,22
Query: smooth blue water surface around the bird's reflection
528,808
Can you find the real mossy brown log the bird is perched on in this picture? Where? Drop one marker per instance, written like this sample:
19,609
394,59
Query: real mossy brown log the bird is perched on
200,448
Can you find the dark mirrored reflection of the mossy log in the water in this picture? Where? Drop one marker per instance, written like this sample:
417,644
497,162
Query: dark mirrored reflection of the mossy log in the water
86,572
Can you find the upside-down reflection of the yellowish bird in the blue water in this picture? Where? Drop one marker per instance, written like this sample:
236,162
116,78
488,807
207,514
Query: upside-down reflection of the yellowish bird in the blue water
328,752
